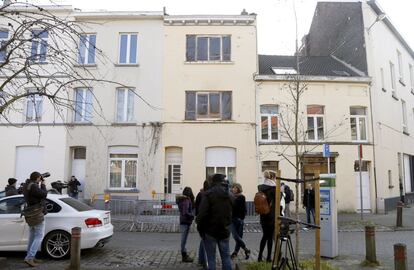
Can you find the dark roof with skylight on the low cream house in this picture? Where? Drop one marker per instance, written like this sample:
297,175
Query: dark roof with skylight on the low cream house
309,65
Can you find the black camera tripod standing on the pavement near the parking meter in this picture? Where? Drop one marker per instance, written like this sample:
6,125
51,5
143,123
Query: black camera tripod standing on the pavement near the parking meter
284,252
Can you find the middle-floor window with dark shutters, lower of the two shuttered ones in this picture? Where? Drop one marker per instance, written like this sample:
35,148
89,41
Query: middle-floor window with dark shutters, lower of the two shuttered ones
208,105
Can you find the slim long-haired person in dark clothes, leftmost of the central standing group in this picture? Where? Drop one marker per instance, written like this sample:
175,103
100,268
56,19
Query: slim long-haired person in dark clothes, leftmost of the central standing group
185,205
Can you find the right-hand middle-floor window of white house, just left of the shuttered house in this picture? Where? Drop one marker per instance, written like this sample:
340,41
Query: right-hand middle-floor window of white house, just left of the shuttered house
125,105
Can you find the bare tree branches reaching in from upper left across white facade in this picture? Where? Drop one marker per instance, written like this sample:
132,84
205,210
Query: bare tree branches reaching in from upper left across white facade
40,57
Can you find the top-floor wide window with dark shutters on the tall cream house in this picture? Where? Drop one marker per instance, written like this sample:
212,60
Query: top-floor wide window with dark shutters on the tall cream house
208,48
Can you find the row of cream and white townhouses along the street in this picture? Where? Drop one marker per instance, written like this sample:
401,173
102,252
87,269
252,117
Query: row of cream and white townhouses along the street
211,104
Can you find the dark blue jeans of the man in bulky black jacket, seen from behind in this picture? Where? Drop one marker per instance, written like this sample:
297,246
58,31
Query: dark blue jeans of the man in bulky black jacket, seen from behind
210,244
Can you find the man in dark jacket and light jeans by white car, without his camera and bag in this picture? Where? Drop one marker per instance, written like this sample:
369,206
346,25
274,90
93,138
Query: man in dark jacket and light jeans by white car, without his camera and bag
35,195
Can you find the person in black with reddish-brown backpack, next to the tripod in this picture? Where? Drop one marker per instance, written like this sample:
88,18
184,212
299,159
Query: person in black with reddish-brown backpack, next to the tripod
267,217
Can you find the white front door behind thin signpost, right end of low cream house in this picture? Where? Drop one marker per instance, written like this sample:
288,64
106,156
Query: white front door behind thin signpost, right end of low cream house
366,196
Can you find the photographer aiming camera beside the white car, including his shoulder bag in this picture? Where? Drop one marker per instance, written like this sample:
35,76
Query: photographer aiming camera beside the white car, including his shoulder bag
34,214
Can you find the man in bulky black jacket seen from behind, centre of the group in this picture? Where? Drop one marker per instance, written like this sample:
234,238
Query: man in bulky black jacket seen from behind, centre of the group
214,220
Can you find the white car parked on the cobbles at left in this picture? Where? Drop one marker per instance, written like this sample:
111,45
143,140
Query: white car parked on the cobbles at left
64,213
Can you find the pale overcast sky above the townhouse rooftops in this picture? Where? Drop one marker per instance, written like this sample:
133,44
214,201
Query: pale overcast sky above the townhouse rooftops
275,18
